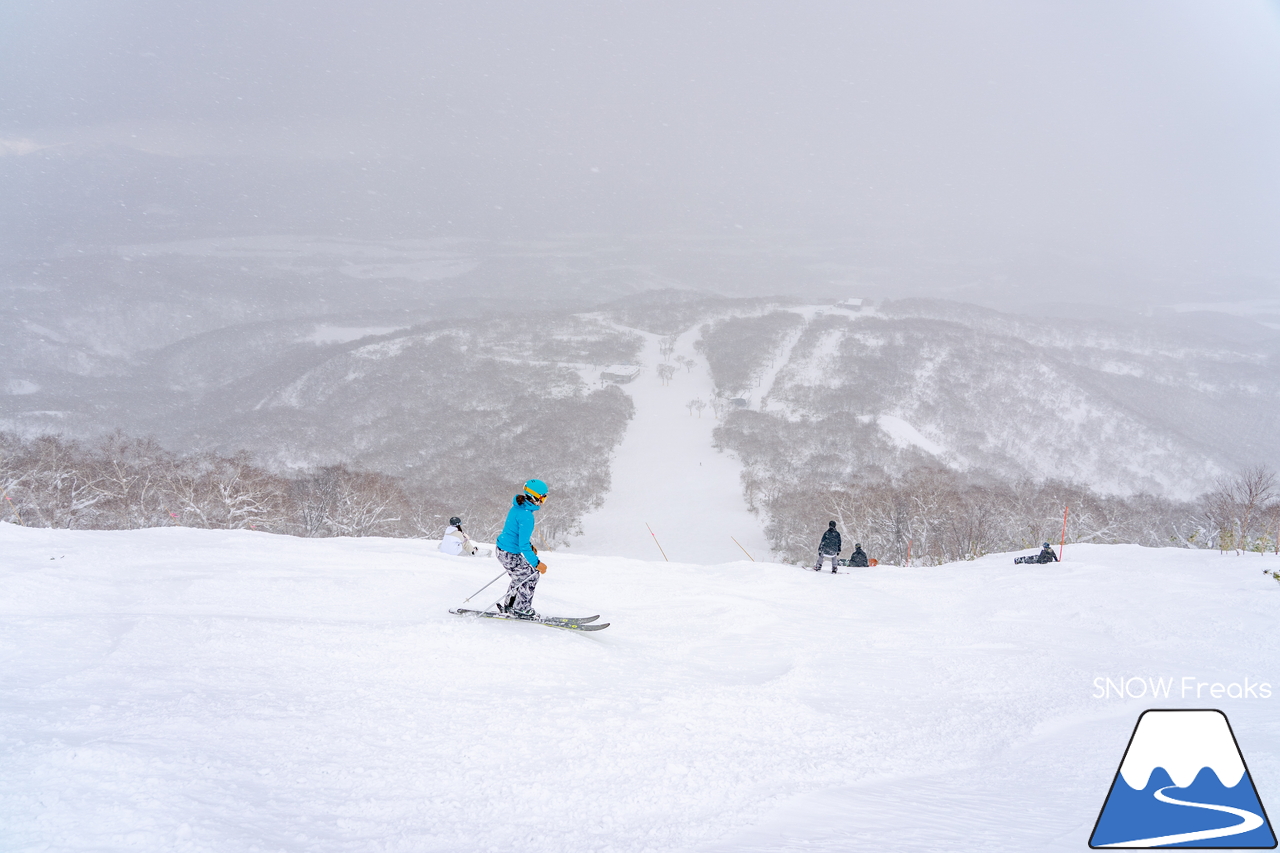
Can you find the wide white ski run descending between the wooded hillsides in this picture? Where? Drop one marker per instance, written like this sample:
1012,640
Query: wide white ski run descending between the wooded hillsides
668,475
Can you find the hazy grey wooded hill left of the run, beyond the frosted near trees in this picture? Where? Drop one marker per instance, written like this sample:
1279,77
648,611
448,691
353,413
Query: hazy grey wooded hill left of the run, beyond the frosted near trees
459,414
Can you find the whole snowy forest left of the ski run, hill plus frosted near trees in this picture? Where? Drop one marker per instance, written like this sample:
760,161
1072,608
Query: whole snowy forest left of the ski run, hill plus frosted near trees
390,435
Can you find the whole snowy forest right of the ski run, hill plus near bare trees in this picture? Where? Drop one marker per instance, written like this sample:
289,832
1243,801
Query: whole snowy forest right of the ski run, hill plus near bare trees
939,431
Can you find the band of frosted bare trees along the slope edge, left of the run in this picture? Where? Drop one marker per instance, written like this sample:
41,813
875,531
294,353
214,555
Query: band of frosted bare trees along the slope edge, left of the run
116,483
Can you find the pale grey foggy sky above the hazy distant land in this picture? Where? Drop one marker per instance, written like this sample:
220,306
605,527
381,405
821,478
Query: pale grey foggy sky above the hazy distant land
1136,144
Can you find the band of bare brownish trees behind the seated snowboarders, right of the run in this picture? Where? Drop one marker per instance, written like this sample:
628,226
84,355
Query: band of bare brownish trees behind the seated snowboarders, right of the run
938,516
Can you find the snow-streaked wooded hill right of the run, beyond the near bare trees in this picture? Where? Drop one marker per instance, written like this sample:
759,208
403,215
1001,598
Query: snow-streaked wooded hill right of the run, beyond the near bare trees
1145,408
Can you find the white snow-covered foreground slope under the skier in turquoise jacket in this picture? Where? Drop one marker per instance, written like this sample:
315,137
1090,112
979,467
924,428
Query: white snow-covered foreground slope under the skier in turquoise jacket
176,690
